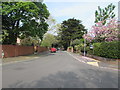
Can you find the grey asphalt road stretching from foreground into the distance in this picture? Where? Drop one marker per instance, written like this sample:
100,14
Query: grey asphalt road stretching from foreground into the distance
57,70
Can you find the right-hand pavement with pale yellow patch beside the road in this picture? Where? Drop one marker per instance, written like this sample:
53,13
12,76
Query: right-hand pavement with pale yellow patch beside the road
95,62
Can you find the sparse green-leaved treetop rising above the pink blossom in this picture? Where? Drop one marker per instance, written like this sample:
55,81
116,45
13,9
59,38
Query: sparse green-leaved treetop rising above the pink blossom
104,14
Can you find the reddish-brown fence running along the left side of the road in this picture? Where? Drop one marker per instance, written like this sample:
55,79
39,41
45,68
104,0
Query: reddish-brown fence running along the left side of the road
17,50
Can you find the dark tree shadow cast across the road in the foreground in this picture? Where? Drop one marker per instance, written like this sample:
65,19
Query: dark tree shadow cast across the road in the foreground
70,80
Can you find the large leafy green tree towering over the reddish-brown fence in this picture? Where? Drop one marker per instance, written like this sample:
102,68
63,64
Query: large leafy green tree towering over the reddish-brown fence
23,19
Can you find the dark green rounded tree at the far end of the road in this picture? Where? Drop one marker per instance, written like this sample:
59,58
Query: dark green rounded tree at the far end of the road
70,30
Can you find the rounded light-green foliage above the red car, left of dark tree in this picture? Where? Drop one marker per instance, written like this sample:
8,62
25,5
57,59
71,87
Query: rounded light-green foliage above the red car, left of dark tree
48,40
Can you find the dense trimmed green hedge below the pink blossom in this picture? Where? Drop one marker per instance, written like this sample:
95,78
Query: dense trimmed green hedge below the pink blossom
106,49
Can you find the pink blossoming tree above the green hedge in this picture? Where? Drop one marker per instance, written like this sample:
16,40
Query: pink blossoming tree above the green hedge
100,32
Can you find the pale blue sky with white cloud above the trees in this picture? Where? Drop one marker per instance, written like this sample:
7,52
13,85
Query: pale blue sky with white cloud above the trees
83,10
